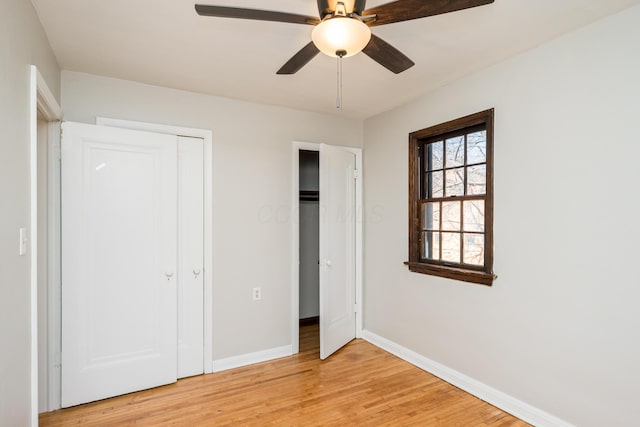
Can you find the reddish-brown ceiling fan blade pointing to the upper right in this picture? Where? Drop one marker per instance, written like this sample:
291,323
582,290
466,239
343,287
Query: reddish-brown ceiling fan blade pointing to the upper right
405,10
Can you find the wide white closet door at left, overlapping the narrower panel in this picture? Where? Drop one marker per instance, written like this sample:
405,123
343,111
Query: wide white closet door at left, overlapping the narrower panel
119,246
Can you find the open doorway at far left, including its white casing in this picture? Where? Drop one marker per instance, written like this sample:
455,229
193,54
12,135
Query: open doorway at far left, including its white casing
42,240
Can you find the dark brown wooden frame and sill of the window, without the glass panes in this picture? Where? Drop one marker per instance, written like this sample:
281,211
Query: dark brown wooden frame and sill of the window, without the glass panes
474,274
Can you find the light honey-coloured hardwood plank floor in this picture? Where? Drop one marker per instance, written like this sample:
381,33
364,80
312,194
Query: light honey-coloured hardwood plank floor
360,385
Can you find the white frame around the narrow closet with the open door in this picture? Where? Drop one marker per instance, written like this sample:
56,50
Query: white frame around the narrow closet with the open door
298,146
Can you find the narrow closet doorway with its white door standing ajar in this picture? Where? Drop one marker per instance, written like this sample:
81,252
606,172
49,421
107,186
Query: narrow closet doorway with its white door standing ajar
335,259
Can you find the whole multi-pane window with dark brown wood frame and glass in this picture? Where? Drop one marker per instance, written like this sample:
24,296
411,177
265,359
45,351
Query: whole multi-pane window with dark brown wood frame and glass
451,199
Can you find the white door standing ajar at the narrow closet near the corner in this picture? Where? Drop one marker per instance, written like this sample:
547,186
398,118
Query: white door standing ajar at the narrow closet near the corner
337,249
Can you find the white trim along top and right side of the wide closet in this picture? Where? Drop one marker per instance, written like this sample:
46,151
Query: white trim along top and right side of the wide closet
207,136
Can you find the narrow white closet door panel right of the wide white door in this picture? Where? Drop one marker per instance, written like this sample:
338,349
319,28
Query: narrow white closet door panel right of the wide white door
190,256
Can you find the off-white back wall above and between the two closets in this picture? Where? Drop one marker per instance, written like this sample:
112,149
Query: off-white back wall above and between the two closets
251,193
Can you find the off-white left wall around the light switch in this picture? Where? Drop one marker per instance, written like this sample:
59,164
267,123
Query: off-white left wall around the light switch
22,43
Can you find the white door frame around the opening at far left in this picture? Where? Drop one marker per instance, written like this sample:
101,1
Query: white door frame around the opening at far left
42,99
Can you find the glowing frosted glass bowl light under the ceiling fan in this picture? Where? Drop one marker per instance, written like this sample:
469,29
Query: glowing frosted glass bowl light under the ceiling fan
341,34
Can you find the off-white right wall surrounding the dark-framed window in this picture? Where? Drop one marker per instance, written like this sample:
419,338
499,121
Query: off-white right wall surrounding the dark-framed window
559,329
